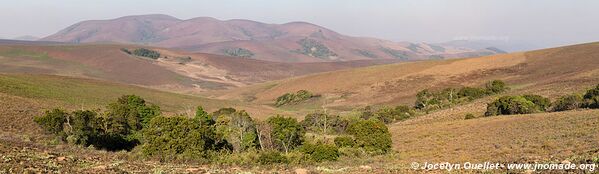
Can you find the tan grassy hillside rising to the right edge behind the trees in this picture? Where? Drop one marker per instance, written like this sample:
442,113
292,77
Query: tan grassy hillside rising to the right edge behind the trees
549,72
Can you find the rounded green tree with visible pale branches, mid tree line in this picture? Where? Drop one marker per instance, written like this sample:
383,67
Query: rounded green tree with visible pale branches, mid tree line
287,133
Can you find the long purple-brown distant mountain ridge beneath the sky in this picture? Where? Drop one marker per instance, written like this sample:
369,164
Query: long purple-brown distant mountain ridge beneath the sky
289,42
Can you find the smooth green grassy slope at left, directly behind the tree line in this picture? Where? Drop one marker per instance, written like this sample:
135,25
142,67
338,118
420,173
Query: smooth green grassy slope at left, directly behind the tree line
92,93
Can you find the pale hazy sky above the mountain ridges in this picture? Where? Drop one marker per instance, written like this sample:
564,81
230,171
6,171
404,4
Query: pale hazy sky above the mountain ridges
542,22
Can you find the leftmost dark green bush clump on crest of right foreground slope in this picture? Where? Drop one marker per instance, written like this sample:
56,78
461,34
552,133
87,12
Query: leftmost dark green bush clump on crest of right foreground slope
509,105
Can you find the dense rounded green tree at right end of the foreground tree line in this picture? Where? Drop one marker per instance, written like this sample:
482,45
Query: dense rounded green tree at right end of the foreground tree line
372,135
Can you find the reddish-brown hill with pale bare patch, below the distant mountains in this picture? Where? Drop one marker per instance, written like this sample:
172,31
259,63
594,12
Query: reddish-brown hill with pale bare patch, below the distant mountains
178,71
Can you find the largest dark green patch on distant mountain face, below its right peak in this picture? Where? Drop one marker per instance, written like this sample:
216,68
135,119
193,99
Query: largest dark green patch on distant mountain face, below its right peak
314,48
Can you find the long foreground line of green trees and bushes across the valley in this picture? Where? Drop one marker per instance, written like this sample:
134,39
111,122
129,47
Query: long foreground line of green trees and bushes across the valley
132,124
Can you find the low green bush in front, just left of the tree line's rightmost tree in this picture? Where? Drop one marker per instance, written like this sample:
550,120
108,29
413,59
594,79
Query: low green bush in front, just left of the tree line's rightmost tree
320,152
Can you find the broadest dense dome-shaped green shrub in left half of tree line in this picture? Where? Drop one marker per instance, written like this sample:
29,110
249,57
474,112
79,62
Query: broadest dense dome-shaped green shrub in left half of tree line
170,137
